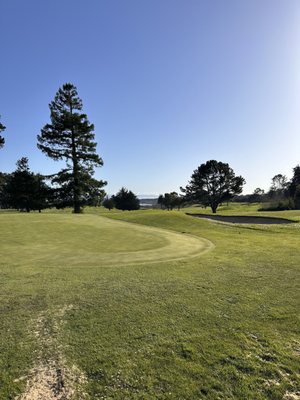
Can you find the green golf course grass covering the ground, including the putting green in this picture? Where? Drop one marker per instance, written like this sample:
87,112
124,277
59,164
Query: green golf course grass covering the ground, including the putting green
221,325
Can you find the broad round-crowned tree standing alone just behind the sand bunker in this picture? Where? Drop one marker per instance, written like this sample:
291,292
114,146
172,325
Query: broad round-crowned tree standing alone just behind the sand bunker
213,183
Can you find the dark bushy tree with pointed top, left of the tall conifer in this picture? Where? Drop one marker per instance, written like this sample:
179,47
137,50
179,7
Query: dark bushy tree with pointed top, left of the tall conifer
25,190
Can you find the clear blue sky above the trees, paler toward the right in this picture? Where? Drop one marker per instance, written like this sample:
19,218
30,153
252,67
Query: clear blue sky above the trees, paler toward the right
169,84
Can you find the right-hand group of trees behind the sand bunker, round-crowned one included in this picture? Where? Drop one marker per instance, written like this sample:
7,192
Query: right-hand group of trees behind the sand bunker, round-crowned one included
214,183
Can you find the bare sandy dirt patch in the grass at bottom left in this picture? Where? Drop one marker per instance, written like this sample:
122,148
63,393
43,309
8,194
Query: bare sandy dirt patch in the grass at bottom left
51,378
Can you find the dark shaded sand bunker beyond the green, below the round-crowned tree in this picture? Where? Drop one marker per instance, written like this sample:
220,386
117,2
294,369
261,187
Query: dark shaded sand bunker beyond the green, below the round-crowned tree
242,219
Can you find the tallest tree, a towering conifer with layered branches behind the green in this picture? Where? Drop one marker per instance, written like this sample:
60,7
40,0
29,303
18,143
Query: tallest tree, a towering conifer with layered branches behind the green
70,137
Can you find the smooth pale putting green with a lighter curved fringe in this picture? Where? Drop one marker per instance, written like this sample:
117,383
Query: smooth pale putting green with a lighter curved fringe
86,240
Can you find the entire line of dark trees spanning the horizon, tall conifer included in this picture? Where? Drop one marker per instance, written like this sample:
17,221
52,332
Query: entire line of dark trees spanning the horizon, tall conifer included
69,136
